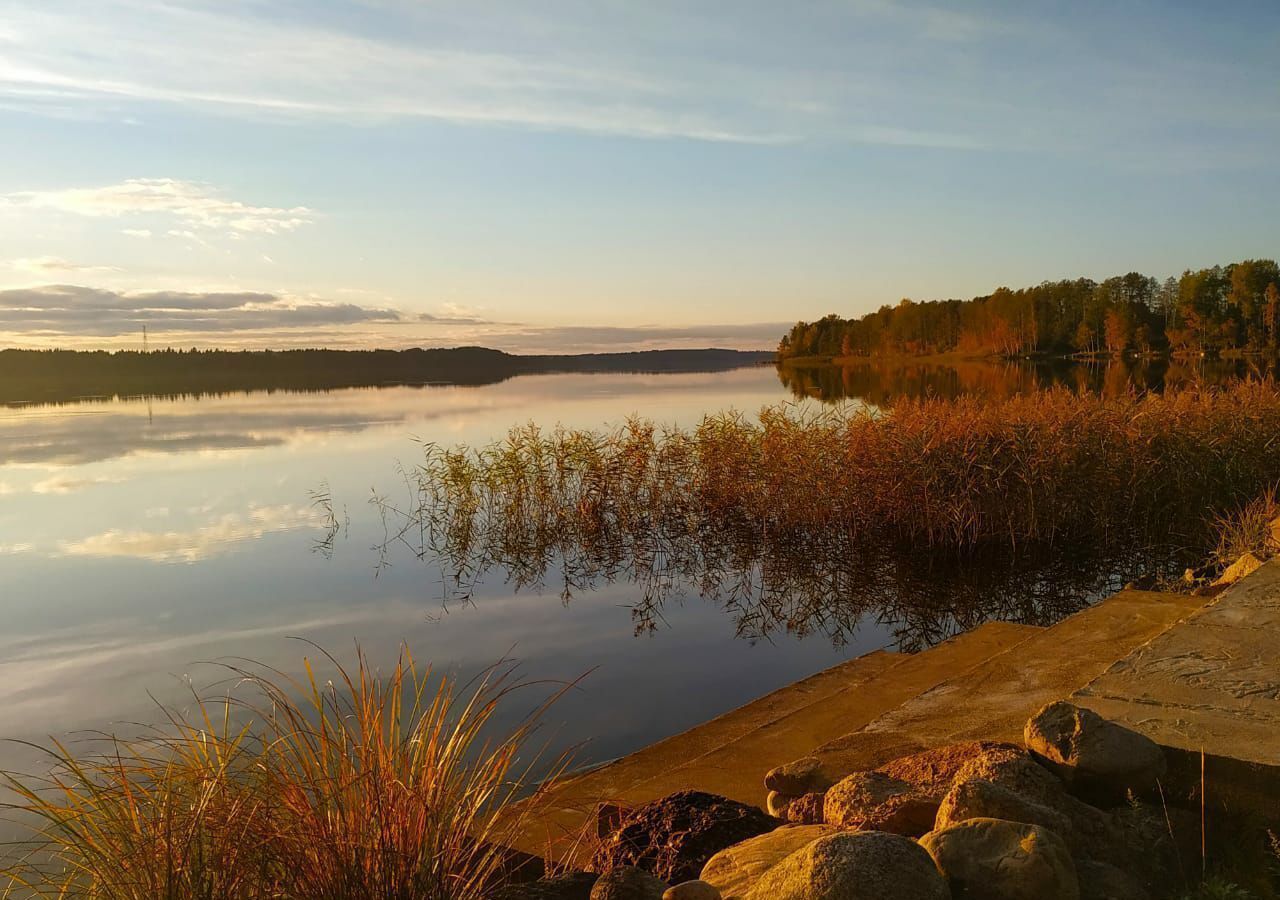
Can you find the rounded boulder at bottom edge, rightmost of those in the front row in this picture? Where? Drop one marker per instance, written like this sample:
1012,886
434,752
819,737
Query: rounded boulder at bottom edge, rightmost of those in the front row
995,860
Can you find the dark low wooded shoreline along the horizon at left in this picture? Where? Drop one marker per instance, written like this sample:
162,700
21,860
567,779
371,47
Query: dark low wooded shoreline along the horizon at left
53,377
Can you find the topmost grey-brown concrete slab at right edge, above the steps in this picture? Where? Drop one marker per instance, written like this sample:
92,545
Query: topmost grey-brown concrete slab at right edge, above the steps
1209,686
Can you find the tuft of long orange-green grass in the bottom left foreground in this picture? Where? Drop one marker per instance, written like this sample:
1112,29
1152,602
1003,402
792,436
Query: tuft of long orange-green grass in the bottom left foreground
377,787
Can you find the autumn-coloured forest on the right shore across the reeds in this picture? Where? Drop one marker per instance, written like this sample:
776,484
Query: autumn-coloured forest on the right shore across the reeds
1227,308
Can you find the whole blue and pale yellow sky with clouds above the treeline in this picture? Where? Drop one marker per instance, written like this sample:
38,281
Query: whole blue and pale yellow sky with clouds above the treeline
616,175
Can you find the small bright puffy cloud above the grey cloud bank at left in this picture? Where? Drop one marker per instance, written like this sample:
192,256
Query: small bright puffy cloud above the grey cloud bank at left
195,207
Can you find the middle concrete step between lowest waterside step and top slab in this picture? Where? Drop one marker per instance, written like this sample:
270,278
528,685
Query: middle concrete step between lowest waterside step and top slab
994,700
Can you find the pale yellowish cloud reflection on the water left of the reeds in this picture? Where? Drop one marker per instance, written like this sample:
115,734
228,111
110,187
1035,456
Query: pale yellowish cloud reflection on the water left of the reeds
195,545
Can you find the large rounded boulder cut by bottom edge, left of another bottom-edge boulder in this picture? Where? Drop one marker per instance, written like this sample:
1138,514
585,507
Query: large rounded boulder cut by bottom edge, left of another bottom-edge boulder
854,866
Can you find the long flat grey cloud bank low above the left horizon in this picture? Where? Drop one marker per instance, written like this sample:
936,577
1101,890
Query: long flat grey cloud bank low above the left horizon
76,310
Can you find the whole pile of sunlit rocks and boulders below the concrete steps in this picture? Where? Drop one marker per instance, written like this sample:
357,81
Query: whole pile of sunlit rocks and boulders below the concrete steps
1060,819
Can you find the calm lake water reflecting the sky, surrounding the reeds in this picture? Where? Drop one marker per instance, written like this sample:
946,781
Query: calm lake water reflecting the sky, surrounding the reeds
141,538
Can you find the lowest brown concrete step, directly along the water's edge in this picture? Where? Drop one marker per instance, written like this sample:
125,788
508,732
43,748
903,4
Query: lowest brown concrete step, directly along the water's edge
730,755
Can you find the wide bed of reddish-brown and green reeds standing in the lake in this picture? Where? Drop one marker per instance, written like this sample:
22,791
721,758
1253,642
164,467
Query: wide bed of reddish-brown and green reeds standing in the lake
801,514
